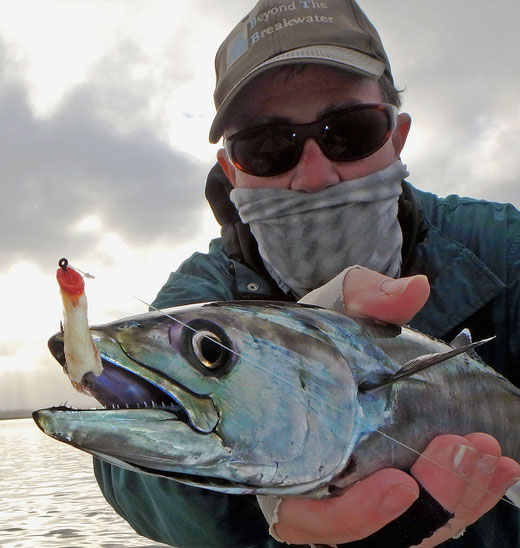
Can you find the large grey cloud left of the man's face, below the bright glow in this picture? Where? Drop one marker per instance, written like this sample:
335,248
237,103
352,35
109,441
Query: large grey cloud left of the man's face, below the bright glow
87,159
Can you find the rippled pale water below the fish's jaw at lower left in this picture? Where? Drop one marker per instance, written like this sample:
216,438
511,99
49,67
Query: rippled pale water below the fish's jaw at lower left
49,497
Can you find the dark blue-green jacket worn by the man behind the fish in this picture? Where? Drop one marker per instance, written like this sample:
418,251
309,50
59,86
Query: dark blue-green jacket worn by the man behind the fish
470,251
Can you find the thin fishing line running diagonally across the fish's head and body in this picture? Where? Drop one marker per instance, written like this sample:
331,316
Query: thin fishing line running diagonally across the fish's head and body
335,408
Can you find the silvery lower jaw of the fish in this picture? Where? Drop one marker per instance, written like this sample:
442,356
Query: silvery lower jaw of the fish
92,431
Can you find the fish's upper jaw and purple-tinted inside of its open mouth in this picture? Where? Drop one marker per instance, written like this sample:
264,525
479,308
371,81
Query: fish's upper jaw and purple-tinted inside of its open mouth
129,385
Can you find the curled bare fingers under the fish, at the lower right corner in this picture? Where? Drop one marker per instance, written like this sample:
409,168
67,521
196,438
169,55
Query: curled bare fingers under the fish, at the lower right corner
469,478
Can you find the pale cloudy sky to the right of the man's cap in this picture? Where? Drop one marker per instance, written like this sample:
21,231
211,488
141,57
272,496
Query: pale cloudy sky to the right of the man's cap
457,63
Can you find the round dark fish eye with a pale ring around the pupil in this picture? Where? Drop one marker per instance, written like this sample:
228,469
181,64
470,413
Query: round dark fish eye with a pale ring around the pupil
206,346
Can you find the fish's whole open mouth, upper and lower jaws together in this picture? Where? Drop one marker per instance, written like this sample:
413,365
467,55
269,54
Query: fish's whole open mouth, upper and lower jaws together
147,424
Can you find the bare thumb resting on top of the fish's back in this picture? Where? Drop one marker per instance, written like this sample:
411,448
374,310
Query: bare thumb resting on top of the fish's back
368,294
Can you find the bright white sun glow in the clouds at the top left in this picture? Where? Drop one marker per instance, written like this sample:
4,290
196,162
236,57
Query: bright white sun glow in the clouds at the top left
52,68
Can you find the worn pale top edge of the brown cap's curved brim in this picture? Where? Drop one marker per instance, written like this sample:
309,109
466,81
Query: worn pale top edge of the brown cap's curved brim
343,58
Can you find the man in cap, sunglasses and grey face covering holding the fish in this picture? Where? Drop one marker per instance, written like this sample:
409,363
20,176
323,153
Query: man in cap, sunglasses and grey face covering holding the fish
310,183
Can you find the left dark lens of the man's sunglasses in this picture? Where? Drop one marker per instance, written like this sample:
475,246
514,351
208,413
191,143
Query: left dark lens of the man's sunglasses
266,151
